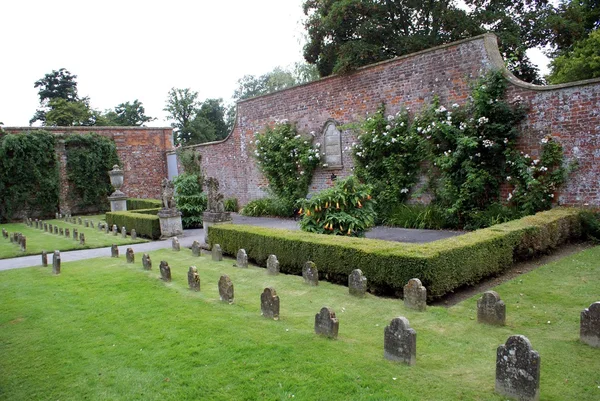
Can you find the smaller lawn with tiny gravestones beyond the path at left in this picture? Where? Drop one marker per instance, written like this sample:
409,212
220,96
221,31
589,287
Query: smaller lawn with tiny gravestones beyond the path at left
39,240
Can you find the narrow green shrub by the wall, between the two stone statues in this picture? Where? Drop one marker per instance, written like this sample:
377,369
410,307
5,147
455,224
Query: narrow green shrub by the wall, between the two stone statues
190,200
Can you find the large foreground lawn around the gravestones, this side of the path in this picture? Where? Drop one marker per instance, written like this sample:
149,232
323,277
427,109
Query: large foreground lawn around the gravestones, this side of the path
107,330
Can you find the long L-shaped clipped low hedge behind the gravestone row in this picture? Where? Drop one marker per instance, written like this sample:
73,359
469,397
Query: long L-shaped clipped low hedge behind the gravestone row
442,265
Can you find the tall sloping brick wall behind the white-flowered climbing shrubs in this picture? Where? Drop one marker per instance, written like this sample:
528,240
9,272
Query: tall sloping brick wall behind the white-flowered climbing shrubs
569,112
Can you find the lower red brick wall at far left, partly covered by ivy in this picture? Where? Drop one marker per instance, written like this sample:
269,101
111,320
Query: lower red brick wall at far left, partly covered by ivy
142,152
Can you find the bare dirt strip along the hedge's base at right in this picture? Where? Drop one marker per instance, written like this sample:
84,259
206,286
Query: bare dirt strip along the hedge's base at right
515,270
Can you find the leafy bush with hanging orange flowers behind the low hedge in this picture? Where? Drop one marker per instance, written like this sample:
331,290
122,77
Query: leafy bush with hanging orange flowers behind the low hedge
344,209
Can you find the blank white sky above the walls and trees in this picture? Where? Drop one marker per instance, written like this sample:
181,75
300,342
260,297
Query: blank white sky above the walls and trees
130,49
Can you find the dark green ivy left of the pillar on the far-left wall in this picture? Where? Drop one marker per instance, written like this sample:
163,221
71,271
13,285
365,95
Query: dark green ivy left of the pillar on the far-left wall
28,175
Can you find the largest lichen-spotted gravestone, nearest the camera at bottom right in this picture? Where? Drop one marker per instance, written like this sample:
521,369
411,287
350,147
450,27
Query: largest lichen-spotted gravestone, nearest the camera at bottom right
518,370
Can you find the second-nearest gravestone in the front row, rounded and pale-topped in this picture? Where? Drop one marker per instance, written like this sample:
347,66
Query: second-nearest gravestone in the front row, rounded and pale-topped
400,342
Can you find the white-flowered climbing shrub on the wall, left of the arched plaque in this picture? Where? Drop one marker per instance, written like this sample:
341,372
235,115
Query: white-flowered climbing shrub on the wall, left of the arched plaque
287,160
